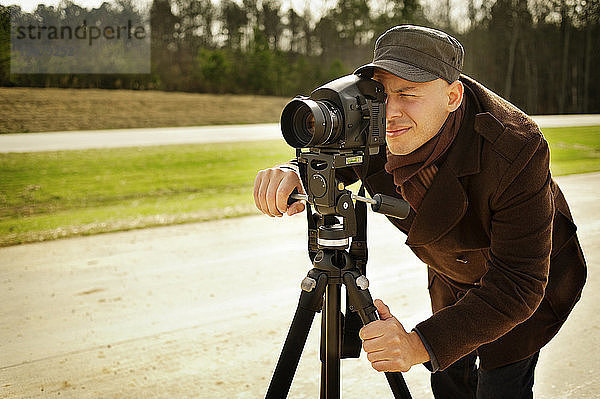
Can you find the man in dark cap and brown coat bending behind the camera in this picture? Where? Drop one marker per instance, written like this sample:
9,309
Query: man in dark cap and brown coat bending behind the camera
504,263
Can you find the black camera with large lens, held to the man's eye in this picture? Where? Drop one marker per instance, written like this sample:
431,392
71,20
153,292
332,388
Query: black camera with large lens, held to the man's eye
345,114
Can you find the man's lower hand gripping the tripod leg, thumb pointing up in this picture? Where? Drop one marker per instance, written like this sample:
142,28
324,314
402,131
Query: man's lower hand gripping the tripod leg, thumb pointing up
389,347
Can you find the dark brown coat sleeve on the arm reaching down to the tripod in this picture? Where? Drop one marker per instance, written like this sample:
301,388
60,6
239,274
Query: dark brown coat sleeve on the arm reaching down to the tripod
517,267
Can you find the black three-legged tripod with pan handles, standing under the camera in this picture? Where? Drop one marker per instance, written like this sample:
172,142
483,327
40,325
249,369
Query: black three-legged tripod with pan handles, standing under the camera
333,267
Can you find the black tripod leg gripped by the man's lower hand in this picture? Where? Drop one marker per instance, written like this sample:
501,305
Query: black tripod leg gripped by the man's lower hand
360,299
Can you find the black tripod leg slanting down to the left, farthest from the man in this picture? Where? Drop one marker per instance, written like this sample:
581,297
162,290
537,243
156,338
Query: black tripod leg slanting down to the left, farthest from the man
310,302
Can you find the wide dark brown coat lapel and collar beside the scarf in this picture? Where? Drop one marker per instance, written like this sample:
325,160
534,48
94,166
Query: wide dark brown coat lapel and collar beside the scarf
446,201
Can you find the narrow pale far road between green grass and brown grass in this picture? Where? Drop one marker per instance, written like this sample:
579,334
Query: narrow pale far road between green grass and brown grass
184,135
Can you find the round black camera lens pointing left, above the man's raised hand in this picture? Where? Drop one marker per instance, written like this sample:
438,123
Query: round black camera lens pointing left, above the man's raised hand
306,122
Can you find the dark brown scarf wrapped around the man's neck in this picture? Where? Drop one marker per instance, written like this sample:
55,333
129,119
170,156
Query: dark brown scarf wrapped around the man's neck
413,173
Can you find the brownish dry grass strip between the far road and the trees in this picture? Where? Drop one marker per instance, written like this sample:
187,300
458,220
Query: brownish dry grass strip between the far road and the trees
38,110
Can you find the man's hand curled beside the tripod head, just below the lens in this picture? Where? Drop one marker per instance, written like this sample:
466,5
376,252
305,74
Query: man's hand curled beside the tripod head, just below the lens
272,189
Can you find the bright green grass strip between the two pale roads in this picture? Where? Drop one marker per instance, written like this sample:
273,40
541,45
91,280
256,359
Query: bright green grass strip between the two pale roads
50,195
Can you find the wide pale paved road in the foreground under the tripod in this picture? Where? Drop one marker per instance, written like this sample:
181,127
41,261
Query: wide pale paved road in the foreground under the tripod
201,310
